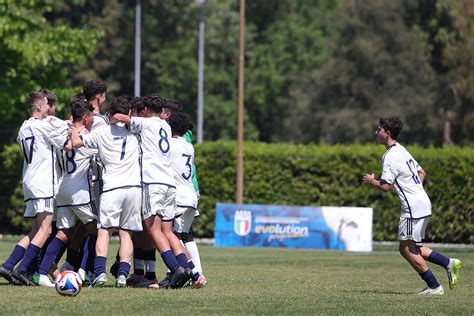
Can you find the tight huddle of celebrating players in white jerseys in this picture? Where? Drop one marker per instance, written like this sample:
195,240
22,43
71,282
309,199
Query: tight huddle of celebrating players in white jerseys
88,176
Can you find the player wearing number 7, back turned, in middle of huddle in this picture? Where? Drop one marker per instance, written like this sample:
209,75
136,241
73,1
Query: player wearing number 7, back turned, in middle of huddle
118,149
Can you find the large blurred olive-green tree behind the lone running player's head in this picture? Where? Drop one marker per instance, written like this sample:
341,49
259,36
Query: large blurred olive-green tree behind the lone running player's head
377,66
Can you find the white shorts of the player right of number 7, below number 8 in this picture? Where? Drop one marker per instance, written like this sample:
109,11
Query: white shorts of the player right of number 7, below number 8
159,199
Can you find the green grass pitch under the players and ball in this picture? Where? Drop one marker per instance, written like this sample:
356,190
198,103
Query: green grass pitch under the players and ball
267,281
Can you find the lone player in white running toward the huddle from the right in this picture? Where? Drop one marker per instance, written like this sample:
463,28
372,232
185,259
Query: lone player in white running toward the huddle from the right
401,170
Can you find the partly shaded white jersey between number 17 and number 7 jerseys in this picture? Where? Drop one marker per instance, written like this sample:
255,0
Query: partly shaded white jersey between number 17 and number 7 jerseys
75,186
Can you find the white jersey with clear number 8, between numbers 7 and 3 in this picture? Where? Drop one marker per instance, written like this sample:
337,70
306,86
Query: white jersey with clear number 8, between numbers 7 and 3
155,135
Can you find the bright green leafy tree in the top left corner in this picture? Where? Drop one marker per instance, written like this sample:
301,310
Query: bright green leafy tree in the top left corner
36,55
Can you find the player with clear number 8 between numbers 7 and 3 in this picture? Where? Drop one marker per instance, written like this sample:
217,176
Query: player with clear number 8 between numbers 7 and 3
158,185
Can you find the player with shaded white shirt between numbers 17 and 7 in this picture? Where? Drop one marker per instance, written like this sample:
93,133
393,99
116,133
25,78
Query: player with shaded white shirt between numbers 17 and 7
73,198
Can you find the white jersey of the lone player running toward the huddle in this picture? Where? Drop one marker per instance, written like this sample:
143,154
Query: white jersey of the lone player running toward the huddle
401,169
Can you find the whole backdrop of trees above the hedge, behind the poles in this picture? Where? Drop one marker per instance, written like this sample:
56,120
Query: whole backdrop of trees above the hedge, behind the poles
316,70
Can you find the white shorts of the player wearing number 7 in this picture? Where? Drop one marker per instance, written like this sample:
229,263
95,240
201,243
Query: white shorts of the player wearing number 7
120,208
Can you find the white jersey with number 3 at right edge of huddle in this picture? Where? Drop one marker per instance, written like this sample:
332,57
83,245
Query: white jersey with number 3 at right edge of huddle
182,160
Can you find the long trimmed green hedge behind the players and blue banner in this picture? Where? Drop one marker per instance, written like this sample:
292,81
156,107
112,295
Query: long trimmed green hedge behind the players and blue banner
288,174
